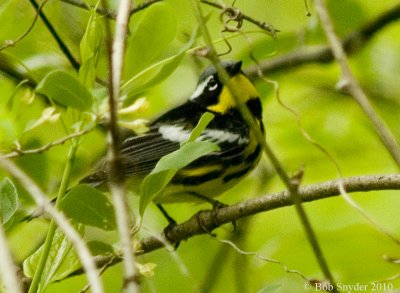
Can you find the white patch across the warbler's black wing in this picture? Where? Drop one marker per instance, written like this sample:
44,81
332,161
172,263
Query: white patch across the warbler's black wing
179,134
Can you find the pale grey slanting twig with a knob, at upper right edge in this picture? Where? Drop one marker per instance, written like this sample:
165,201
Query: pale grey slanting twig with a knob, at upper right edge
350,84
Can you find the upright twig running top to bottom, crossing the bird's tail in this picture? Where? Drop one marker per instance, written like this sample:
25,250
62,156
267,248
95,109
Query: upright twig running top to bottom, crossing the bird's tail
116,178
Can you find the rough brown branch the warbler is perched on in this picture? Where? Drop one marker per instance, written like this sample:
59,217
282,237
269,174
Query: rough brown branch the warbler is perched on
211,219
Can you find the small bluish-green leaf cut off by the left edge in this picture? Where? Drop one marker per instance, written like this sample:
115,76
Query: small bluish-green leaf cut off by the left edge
8,200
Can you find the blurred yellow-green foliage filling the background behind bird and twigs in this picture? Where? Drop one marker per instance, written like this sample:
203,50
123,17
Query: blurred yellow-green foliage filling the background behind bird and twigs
354,249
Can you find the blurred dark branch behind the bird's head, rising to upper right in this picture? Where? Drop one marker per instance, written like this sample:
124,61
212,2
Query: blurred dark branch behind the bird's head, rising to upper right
353,42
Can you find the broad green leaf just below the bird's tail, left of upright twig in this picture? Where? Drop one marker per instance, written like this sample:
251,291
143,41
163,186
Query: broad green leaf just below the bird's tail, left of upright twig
89,206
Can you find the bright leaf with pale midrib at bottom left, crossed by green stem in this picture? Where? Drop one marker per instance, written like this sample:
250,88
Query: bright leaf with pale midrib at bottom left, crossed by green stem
61,262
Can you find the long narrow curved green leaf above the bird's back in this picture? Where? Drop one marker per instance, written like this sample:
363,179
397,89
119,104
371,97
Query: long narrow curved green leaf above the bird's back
157,72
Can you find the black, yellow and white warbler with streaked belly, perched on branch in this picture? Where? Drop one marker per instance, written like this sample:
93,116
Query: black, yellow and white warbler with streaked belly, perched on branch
211,174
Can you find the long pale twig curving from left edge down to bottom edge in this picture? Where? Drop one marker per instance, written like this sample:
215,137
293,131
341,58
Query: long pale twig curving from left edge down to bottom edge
41,201
